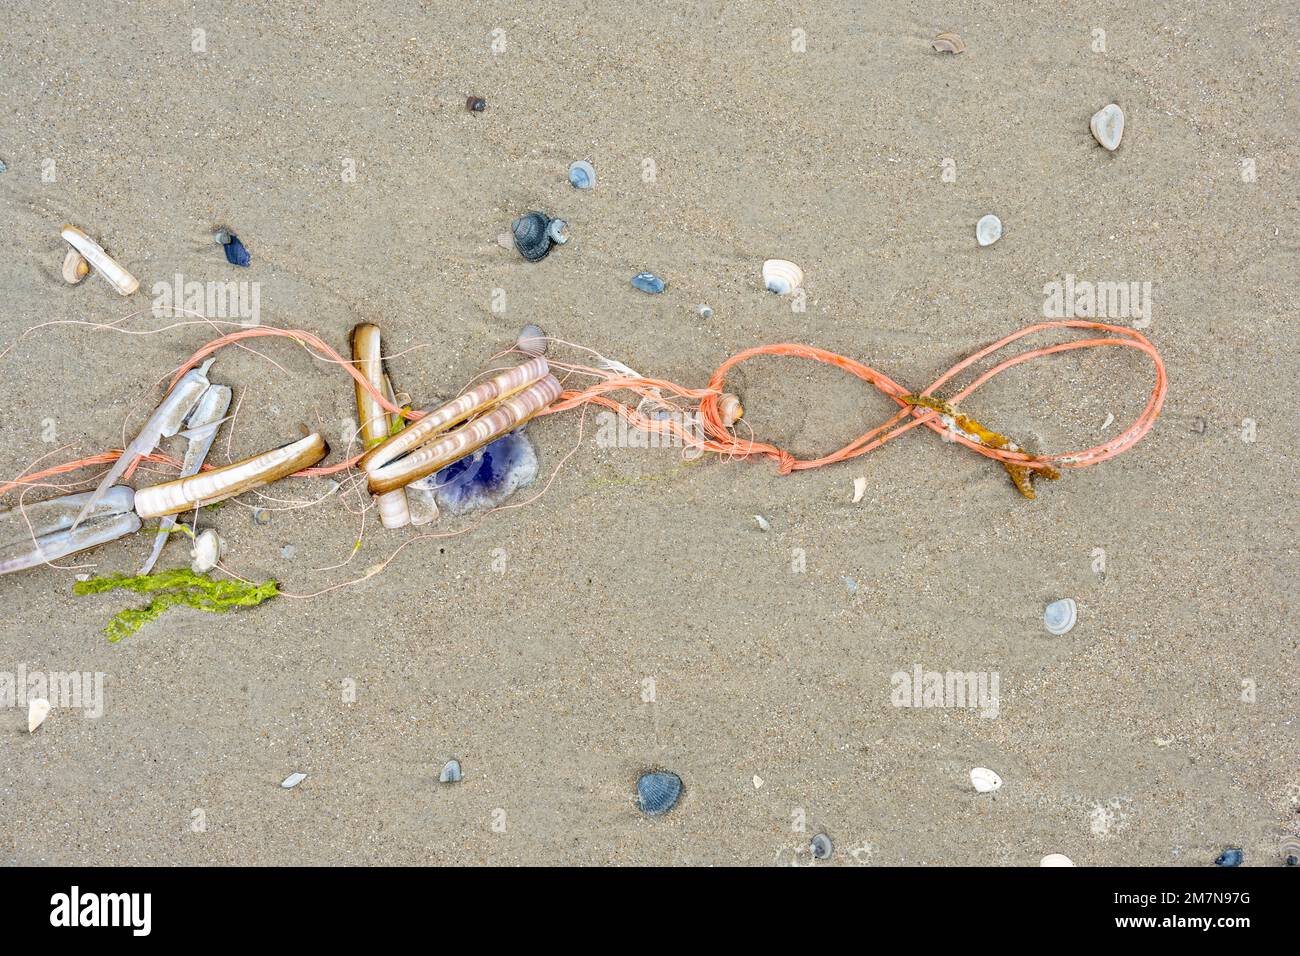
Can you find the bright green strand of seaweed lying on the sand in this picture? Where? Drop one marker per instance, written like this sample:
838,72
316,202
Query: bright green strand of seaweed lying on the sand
176,589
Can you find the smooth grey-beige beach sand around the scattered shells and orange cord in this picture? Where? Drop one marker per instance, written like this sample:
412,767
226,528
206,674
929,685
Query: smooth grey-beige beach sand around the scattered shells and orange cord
636,617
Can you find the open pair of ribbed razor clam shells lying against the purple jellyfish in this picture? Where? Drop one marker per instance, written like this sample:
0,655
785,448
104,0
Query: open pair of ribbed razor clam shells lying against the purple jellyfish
502,405
